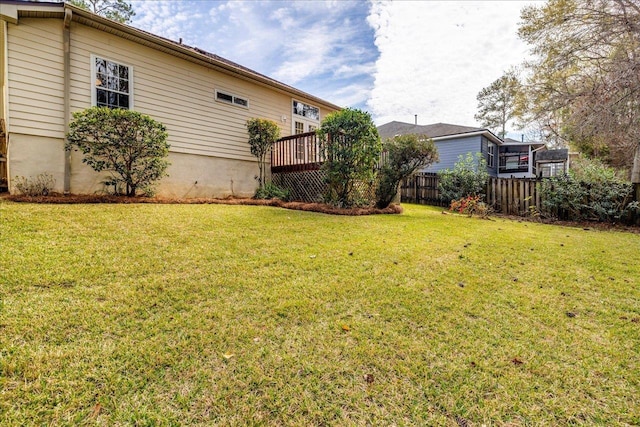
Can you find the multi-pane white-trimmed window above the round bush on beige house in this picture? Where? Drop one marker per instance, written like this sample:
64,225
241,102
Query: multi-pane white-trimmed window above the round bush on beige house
112,85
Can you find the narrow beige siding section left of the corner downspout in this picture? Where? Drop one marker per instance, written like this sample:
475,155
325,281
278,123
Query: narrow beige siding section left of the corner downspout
36,77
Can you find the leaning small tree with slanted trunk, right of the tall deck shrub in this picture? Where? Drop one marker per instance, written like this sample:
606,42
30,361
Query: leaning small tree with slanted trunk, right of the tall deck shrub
402,156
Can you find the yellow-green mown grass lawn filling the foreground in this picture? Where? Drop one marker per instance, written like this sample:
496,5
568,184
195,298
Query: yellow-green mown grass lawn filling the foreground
245,315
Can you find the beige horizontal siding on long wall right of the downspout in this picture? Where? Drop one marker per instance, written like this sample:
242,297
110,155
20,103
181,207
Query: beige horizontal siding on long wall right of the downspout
179,94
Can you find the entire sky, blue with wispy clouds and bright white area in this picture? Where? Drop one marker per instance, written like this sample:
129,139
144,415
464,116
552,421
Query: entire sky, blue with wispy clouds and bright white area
393,59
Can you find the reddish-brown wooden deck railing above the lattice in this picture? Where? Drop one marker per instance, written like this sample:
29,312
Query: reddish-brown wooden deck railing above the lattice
296,153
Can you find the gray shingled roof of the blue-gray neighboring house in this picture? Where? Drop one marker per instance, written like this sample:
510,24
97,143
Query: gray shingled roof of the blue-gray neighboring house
436,131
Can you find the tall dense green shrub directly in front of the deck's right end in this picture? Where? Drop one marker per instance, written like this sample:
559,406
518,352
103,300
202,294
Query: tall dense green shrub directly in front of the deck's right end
351,146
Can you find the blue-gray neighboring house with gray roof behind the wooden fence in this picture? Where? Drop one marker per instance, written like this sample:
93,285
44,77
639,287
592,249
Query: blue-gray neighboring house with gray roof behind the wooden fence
505,159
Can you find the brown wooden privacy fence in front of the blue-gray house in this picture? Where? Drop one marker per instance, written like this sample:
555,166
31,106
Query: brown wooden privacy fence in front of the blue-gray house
512,196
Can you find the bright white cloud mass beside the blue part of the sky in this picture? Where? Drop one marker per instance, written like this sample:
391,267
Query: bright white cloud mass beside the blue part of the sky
436,56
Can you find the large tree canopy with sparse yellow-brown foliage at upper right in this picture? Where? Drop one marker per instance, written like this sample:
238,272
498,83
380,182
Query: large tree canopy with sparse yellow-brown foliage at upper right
584,83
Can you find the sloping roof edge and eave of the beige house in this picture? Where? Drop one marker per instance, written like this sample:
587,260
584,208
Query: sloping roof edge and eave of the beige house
26,8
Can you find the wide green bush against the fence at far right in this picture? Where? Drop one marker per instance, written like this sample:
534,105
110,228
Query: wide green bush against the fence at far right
590,191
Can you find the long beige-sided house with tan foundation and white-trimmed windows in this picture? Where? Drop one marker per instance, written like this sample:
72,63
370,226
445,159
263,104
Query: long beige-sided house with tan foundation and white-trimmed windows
56,59
